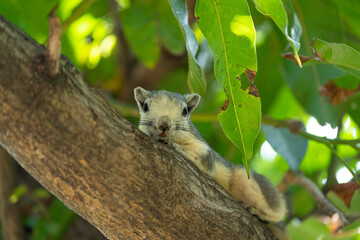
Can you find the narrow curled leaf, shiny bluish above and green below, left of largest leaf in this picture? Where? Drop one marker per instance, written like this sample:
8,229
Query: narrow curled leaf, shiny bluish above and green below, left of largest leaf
196,76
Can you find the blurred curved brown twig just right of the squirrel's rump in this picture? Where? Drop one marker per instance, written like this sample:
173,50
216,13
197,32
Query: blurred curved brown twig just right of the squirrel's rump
322,202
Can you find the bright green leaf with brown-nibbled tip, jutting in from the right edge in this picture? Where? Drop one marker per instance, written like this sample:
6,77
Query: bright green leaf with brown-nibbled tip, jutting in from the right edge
338,54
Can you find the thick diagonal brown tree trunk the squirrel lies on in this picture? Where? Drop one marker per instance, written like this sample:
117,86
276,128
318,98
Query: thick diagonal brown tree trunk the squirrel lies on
78,147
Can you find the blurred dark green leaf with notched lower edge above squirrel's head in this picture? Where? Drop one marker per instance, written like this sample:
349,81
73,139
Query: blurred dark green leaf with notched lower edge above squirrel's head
148,25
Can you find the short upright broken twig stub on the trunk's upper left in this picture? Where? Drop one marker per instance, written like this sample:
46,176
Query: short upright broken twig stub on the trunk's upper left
54,44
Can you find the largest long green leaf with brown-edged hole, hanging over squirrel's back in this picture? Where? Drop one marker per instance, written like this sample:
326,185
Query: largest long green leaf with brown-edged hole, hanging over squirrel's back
229,30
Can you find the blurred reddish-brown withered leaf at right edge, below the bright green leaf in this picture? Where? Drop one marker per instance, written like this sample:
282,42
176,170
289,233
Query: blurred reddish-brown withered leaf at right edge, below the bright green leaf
336,94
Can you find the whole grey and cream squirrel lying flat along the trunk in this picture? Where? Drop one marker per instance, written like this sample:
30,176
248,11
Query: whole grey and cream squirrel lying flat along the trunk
165,116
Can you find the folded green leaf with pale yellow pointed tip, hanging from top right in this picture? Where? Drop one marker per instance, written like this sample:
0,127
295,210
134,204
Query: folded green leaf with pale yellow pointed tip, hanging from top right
275,9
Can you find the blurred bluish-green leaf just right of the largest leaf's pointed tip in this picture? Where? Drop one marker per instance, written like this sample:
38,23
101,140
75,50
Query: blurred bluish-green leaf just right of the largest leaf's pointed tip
290,146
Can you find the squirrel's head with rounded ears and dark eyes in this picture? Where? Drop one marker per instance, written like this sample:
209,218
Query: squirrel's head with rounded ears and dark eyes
165,115
